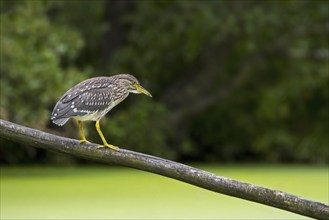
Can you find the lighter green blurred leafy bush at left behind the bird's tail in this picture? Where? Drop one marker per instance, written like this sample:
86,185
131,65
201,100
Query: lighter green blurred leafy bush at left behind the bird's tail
32,49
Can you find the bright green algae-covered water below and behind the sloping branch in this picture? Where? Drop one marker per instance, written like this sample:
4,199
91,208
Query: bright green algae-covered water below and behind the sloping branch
110,192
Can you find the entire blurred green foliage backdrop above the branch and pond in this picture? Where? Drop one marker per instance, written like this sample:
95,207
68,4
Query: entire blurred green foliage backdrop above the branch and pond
232,80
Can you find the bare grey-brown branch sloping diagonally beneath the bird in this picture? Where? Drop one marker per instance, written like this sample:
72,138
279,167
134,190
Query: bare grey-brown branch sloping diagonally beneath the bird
166,168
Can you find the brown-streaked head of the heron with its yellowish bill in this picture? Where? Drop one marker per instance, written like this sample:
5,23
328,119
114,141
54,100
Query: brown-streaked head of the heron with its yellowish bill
133,85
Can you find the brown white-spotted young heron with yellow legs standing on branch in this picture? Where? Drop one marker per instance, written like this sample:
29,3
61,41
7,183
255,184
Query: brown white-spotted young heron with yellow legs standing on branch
91,99
